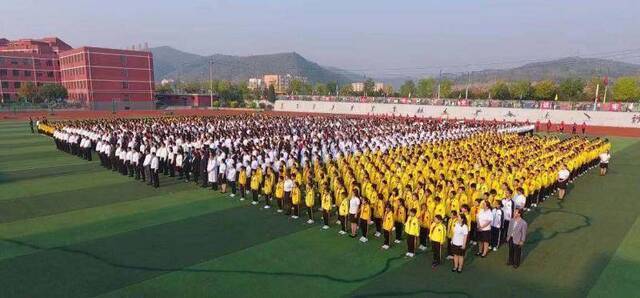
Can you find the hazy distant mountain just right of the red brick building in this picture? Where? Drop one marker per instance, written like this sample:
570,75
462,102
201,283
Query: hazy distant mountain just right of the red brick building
170,63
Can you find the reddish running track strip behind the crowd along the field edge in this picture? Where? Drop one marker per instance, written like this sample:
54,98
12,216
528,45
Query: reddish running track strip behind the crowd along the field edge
591,130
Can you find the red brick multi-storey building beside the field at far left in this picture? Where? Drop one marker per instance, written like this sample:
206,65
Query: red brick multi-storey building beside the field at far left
94,76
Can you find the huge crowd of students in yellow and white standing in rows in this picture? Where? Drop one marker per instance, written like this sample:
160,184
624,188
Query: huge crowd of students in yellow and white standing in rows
431,183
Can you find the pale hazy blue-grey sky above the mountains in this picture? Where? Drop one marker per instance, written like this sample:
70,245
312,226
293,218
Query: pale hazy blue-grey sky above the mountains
376,37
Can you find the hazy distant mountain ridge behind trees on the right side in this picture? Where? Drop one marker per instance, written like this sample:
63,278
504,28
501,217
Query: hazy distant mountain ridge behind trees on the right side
554,70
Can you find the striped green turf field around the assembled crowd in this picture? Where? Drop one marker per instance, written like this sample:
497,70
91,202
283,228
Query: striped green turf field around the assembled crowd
69,228
